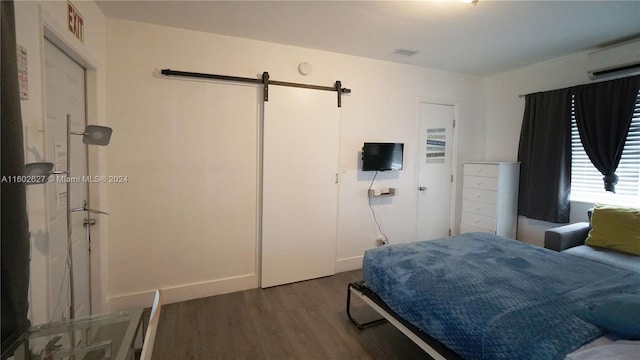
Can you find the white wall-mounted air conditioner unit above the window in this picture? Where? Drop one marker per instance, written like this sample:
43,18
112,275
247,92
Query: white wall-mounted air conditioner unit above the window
615,61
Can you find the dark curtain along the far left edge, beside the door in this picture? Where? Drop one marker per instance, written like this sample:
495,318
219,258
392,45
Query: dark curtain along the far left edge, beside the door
15,228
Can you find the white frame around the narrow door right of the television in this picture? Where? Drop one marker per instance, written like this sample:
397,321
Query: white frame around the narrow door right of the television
454,157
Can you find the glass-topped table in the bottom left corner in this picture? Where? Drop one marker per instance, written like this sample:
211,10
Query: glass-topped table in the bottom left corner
106,336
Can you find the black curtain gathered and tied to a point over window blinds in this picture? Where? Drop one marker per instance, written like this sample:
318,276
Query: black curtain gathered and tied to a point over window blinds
603,115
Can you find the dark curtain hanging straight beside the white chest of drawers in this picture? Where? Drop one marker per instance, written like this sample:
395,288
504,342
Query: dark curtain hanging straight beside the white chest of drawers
545,156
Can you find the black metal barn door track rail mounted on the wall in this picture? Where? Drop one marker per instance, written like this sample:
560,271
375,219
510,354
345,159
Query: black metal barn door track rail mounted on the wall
265,81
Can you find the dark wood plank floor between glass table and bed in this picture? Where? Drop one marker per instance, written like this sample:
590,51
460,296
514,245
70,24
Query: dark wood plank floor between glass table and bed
305,320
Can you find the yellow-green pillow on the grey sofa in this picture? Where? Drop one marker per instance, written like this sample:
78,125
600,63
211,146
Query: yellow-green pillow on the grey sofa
616,228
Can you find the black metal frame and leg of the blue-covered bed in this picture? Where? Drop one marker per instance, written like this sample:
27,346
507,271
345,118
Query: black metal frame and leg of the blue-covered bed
431,346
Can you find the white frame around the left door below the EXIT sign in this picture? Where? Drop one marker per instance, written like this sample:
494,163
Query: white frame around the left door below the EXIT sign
51,30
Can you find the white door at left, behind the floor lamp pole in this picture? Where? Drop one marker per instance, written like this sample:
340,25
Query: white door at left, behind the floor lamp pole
65,96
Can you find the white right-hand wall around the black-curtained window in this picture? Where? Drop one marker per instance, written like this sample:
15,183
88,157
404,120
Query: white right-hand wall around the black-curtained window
504,118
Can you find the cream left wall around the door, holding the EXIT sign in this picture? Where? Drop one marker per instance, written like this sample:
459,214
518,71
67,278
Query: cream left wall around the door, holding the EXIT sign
31,19
